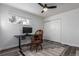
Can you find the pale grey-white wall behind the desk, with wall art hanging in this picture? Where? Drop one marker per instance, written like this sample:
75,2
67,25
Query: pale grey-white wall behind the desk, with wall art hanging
8,30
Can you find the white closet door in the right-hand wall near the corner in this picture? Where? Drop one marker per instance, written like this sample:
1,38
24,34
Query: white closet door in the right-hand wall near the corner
52,30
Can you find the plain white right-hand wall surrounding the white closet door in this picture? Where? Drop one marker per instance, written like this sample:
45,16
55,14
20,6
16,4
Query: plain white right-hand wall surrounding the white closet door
69,27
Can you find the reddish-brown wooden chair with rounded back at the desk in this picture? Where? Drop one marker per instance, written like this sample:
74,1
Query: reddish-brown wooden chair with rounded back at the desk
37,40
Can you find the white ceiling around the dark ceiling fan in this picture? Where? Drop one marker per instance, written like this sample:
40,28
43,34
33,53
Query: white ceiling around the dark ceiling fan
36,9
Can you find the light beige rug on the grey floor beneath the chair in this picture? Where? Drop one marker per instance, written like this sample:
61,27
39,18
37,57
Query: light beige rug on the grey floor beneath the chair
46,52
